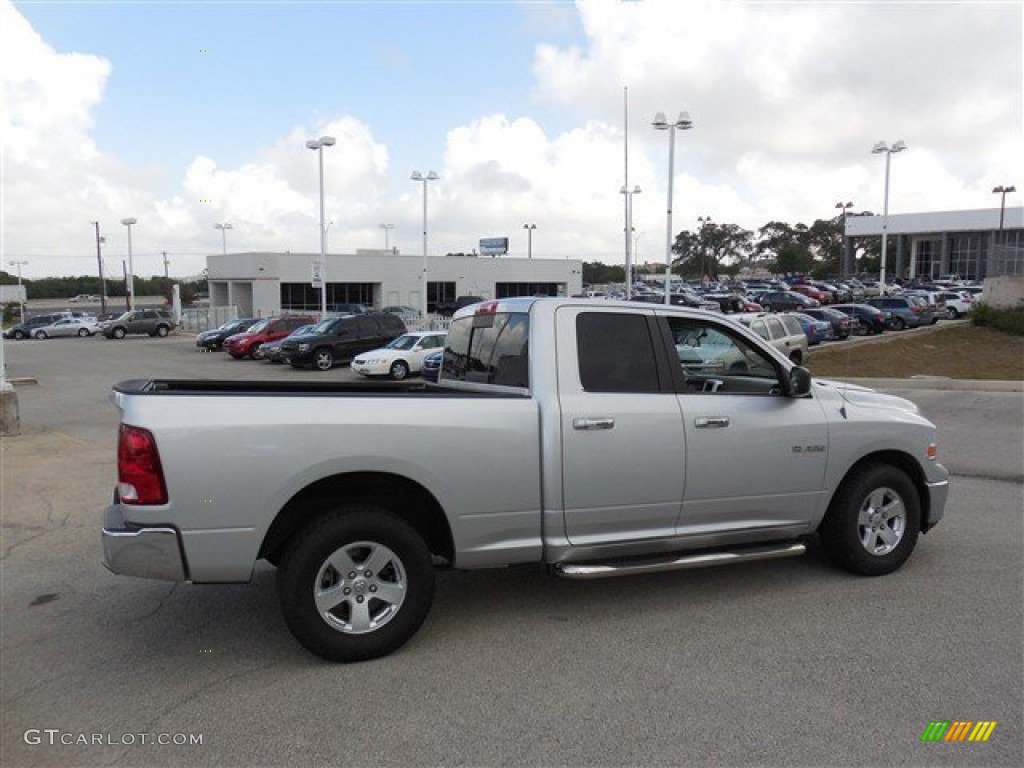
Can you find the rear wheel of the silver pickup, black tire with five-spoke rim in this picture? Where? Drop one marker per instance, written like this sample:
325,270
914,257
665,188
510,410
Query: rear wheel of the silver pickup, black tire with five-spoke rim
344,627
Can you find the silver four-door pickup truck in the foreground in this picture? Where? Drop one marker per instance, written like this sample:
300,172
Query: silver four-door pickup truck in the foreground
598,439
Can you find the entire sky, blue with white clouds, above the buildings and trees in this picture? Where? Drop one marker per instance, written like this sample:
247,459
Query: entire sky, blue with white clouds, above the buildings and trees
183,115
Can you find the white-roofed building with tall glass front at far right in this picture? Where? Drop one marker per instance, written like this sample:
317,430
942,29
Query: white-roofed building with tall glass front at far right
975,245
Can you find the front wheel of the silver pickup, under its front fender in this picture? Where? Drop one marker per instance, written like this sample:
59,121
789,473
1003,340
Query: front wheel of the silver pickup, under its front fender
873,523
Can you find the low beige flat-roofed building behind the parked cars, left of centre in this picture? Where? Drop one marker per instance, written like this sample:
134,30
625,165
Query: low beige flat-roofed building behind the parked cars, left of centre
264,284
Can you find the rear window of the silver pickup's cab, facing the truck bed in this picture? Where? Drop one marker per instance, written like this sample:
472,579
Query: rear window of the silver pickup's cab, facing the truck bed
489,349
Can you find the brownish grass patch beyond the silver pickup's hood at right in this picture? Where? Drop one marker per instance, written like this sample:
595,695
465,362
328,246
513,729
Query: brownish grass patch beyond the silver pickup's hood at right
962,352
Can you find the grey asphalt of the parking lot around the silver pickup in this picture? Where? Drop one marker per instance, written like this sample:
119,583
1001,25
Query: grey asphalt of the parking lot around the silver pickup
779,664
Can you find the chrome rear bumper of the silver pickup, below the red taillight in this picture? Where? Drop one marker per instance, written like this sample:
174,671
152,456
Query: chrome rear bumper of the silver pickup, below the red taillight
153,552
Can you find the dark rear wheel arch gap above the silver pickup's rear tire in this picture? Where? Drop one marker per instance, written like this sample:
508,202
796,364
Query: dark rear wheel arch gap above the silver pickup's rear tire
401,496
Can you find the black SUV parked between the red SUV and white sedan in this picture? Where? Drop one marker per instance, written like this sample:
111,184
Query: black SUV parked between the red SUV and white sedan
340,339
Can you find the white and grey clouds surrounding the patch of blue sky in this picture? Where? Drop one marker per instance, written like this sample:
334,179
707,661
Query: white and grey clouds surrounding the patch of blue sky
787,101
